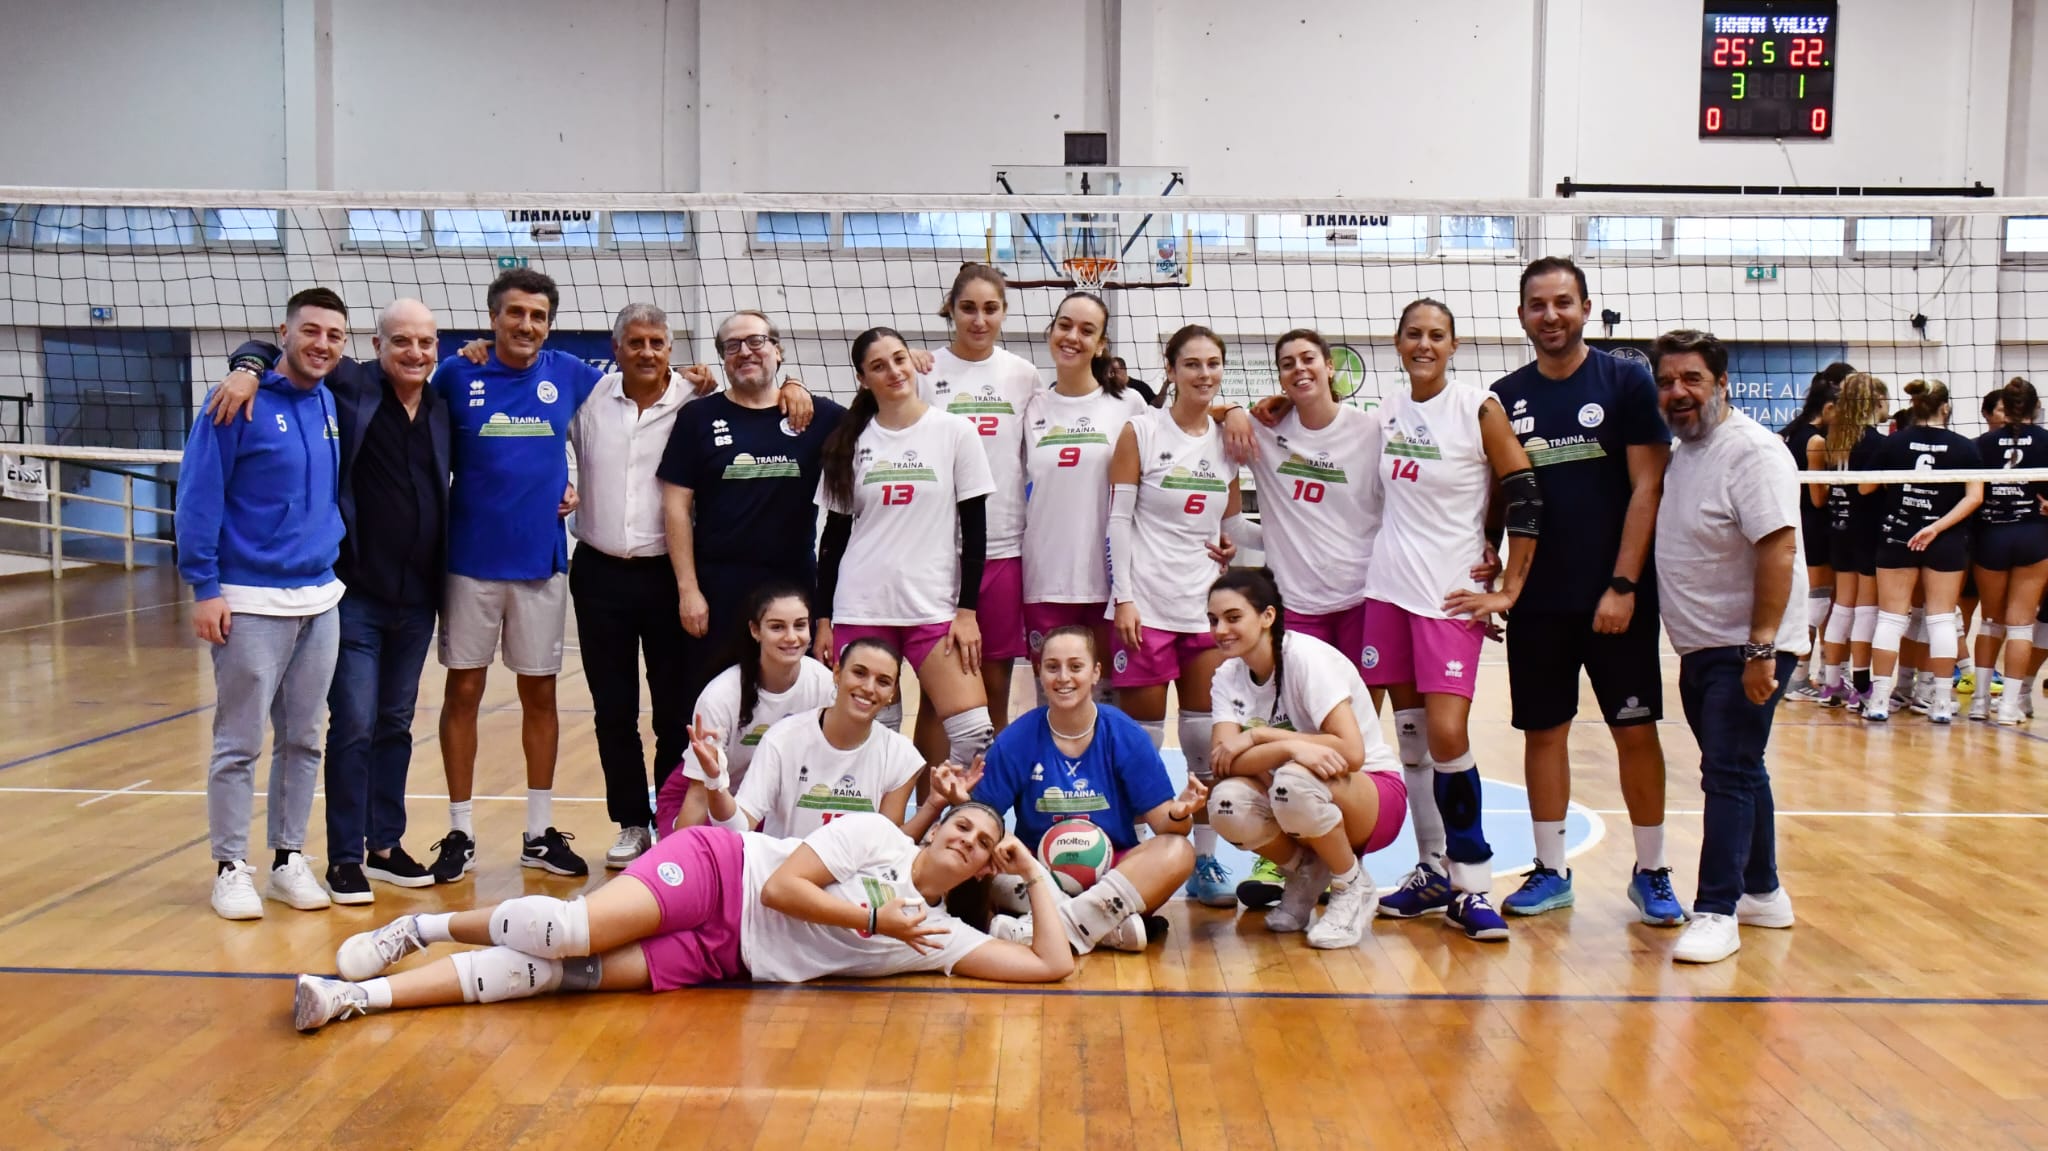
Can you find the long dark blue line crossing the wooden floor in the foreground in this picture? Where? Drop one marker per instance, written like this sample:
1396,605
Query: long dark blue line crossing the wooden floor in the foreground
884,988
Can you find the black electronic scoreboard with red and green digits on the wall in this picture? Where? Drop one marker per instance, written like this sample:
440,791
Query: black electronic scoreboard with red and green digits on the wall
1768,71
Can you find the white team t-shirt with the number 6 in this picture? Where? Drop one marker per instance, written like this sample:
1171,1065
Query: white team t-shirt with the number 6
1185,486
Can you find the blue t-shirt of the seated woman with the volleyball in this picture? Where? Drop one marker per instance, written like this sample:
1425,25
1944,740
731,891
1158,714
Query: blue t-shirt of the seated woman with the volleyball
1115,781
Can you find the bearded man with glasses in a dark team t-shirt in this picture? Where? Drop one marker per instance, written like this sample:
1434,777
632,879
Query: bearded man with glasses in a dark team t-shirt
738,486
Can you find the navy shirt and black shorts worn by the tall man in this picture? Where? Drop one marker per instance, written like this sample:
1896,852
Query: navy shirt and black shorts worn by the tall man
1578,433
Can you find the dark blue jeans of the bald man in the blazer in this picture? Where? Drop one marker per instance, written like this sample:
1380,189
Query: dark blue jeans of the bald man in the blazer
370,724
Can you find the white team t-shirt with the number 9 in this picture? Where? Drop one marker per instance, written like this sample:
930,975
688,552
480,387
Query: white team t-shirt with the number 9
1068,447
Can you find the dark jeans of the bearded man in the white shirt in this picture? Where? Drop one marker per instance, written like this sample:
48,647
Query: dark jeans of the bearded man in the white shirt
1740,843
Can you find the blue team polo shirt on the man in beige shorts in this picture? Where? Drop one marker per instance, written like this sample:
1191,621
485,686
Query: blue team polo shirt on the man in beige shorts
511,462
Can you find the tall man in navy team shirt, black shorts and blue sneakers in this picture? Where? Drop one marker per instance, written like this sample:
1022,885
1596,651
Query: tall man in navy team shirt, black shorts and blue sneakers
1592,433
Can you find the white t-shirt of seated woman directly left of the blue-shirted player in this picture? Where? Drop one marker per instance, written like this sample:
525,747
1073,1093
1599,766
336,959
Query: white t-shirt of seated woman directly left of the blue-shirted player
800,781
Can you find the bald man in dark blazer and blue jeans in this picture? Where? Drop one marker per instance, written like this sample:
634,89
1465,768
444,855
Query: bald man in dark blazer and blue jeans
394,497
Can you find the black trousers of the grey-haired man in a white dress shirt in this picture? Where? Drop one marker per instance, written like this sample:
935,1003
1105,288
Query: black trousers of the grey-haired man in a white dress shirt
624,609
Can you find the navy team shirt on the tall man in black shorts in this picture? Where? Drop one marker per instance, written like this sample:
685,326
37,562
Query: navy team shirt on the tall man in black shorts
1578,433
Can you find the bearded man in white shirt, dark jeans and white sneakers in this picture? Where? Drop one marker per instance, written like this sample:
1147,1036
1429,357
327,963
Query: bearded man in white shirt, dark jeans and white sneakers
1732,523
